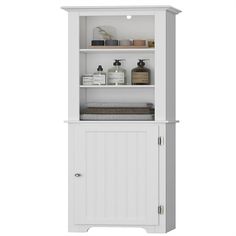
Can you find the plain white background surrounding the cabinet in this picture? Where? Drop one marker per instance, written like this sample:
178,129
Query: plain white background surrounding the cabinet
33,103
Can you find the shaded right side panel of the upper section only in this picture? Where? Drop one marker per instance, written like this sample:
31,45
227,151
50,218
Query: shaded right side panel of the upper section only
170,66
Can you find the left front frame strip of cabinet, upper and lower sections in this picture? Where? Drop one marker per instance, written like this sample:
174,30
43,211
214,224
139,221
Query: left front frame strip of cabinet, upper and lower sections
73,106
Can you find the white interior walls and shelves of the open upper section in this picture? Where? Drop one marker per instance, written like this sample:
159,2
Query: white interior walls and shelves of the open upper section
138,27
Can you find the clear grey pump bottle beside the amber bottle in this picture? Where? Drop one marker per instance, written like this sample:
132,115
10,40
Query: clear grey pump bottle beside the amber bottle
116,74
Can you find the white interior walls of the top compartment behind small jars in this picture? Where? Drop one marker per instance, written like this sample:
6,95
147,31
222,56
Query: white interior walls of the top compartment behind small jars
142,27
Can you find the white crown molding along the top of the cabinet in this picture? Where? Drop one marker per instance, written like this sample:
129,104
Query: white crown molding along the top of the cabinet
117,8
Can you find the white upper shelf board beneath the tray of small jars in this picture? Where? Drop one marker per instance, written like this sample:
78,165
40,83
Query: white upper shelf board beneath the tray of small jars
117,50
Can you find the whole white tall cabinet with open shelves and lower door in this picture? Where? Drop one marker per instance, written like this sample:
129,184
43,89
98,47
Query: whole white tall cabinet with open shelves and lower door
122,173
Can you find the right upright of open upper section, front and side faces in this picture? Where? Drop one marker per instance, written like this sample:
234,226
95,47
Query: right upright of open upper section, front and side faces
165,60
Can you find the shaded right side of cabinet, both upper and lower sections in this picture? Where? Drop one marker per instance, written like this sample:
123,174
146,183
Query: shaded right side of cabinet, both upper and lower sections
170,115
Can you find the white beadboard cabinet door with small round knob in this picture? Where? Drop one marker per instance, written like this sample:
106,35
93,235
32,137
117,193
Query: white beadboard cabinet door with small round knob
118,174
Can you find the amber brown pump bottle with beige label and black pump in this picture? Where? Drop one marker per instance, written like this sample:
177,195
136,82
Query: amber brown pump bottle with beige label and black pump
140,75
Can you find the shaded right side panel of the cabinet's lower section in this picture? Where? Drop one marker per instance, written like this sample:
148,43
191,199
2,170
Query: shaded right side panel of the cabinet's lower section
170,177
